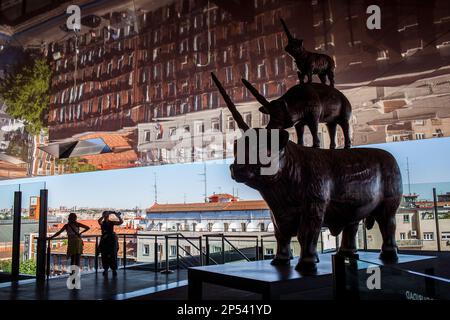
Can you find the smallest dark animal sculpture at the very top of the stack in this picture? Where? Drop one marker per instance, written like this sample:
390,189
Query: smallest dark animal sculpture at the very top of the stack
309,63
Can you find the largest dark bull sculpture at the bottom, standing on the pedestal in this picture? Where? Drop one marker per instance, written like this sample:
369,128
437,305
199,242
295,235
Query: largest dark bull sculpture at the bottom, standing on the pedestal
312,188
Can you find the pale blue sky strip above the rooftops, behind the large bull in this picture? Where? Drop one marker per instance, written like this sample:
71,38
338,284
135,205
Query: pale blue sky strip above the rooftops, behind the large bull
128,188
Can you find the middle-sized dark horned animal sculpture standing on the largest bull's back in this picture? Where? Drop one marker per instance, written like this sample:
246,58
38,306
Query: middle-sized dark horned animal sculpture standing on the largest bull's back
308,104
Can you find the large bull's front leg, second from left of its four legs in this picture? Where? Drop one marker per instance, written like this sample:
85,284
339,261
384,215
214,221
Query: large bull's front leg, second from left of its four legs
308,236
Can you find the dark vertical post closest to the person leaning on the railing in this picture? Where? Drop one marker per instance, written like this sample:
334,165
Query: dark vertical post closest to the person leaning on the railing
40,256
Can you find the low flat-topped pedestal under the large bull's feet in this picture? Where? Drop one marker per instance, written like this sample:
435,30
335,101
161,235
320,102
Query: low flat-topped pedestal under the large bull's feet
274,281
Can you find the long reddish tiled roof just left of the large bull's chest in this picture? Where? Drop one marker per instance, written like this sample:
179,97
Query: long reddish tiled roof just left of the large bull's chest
211,206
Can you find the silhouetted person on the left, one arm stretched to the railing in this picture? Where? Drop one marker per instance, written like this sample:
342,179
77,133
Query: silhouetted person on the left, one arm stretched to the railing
75,242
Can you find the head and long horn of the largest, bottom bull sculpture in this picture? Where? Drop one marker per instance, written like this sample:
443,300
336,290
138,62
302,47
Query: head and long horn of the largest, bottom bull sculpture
257,152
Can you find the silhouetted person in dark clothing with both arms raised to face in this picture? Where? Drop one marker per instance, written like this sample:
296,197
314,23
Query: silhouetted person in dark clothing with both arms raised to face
109,244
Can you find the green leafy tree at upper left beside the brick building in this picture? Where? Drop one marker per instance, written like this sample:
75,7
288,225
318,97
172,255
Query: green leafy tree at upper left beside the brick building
26,93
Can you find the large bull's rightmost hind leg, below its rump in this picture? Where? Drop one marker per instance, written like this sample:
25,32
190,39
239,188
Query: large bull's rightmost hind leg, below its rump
386,221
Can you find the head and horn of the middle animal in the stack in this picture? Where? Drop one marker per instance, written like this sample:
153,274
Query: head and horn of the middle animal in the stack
277,109
